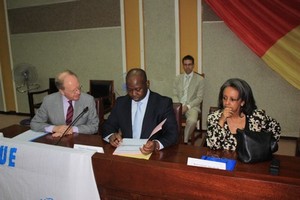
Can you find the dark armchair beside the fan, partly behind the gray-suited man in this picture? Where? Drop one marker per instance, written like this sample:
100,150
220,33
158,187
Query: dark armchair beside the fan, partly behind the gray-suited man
35,98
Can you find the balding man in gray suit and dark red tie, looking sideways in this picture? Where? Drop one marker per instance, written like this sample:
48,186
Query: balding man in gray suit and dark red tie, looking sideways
59,109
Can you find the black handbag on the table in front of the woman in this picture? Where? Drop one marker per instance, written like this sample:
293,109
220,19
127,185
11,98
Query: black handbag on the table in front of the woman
254,146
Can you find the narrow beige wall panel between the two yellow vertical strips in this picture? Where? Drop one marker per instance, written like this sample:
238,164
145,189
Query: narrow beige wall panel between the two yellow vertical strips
159,22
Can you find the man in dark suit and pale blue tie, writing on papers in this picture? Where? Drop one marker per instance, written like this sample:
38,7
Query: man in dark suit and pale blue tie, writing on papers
138,113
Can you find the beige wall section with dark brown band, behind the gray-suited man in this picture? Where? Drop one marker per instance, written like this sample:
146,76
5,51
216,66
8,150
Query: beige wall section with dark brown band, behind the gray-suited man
78,35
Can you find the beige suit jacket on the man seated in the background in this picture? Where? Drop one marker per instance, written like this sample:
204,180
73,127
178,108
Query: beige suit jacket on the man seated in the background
195,90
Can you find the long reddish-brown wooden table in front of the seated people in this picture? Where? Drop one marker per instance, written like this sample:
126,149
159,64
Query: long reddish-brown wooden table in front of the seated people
166,175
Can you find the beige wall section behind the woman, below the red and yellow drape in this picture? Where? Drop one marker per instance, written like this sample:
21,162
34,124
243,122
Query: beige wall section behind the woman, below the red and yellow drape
225,56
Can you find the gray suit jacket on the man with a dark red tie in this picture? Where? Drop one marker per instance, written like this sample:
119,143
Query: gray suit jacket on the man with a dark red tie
51,112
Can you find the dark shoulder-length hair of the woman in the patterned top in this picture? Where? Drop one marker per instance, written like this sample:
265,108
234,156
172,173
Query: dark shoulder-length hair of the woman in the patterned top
245,94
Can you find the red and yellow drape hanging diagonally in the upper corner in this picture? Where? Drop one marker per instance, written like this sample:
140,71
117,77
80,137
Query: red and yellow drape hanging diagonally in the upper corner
270,28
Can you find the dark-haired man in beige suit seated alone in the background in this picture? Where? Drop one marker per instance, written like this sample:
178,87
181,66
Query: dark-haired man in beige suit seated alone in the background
188,89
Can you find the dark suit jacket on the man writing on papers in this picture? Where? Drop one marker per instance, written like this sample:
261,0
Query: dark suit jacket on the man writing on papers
158,109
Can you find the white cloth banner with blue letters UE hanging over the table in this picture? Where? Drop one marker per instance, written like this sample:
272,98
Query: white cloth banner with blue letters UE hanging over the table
30,170
